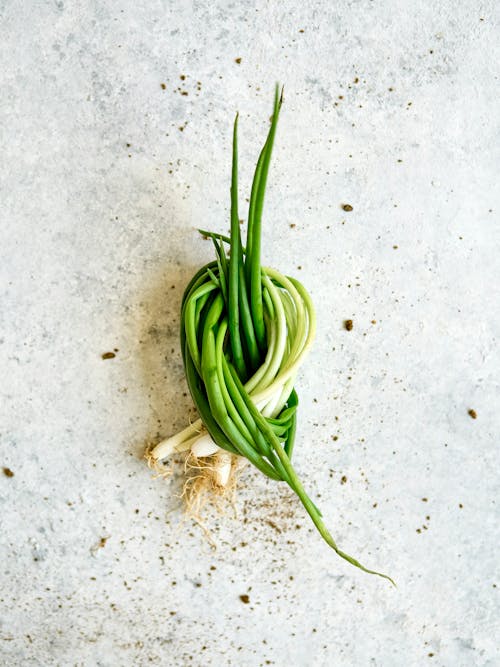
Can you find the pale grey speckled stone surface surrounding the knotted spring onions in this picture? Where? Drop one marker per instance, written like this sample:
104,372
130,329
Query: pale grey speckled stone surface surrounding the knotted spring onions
115,140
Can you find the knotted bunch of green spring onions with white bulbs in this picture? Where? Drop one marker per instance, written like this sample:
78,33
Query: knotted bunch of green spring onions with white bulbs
245,330
